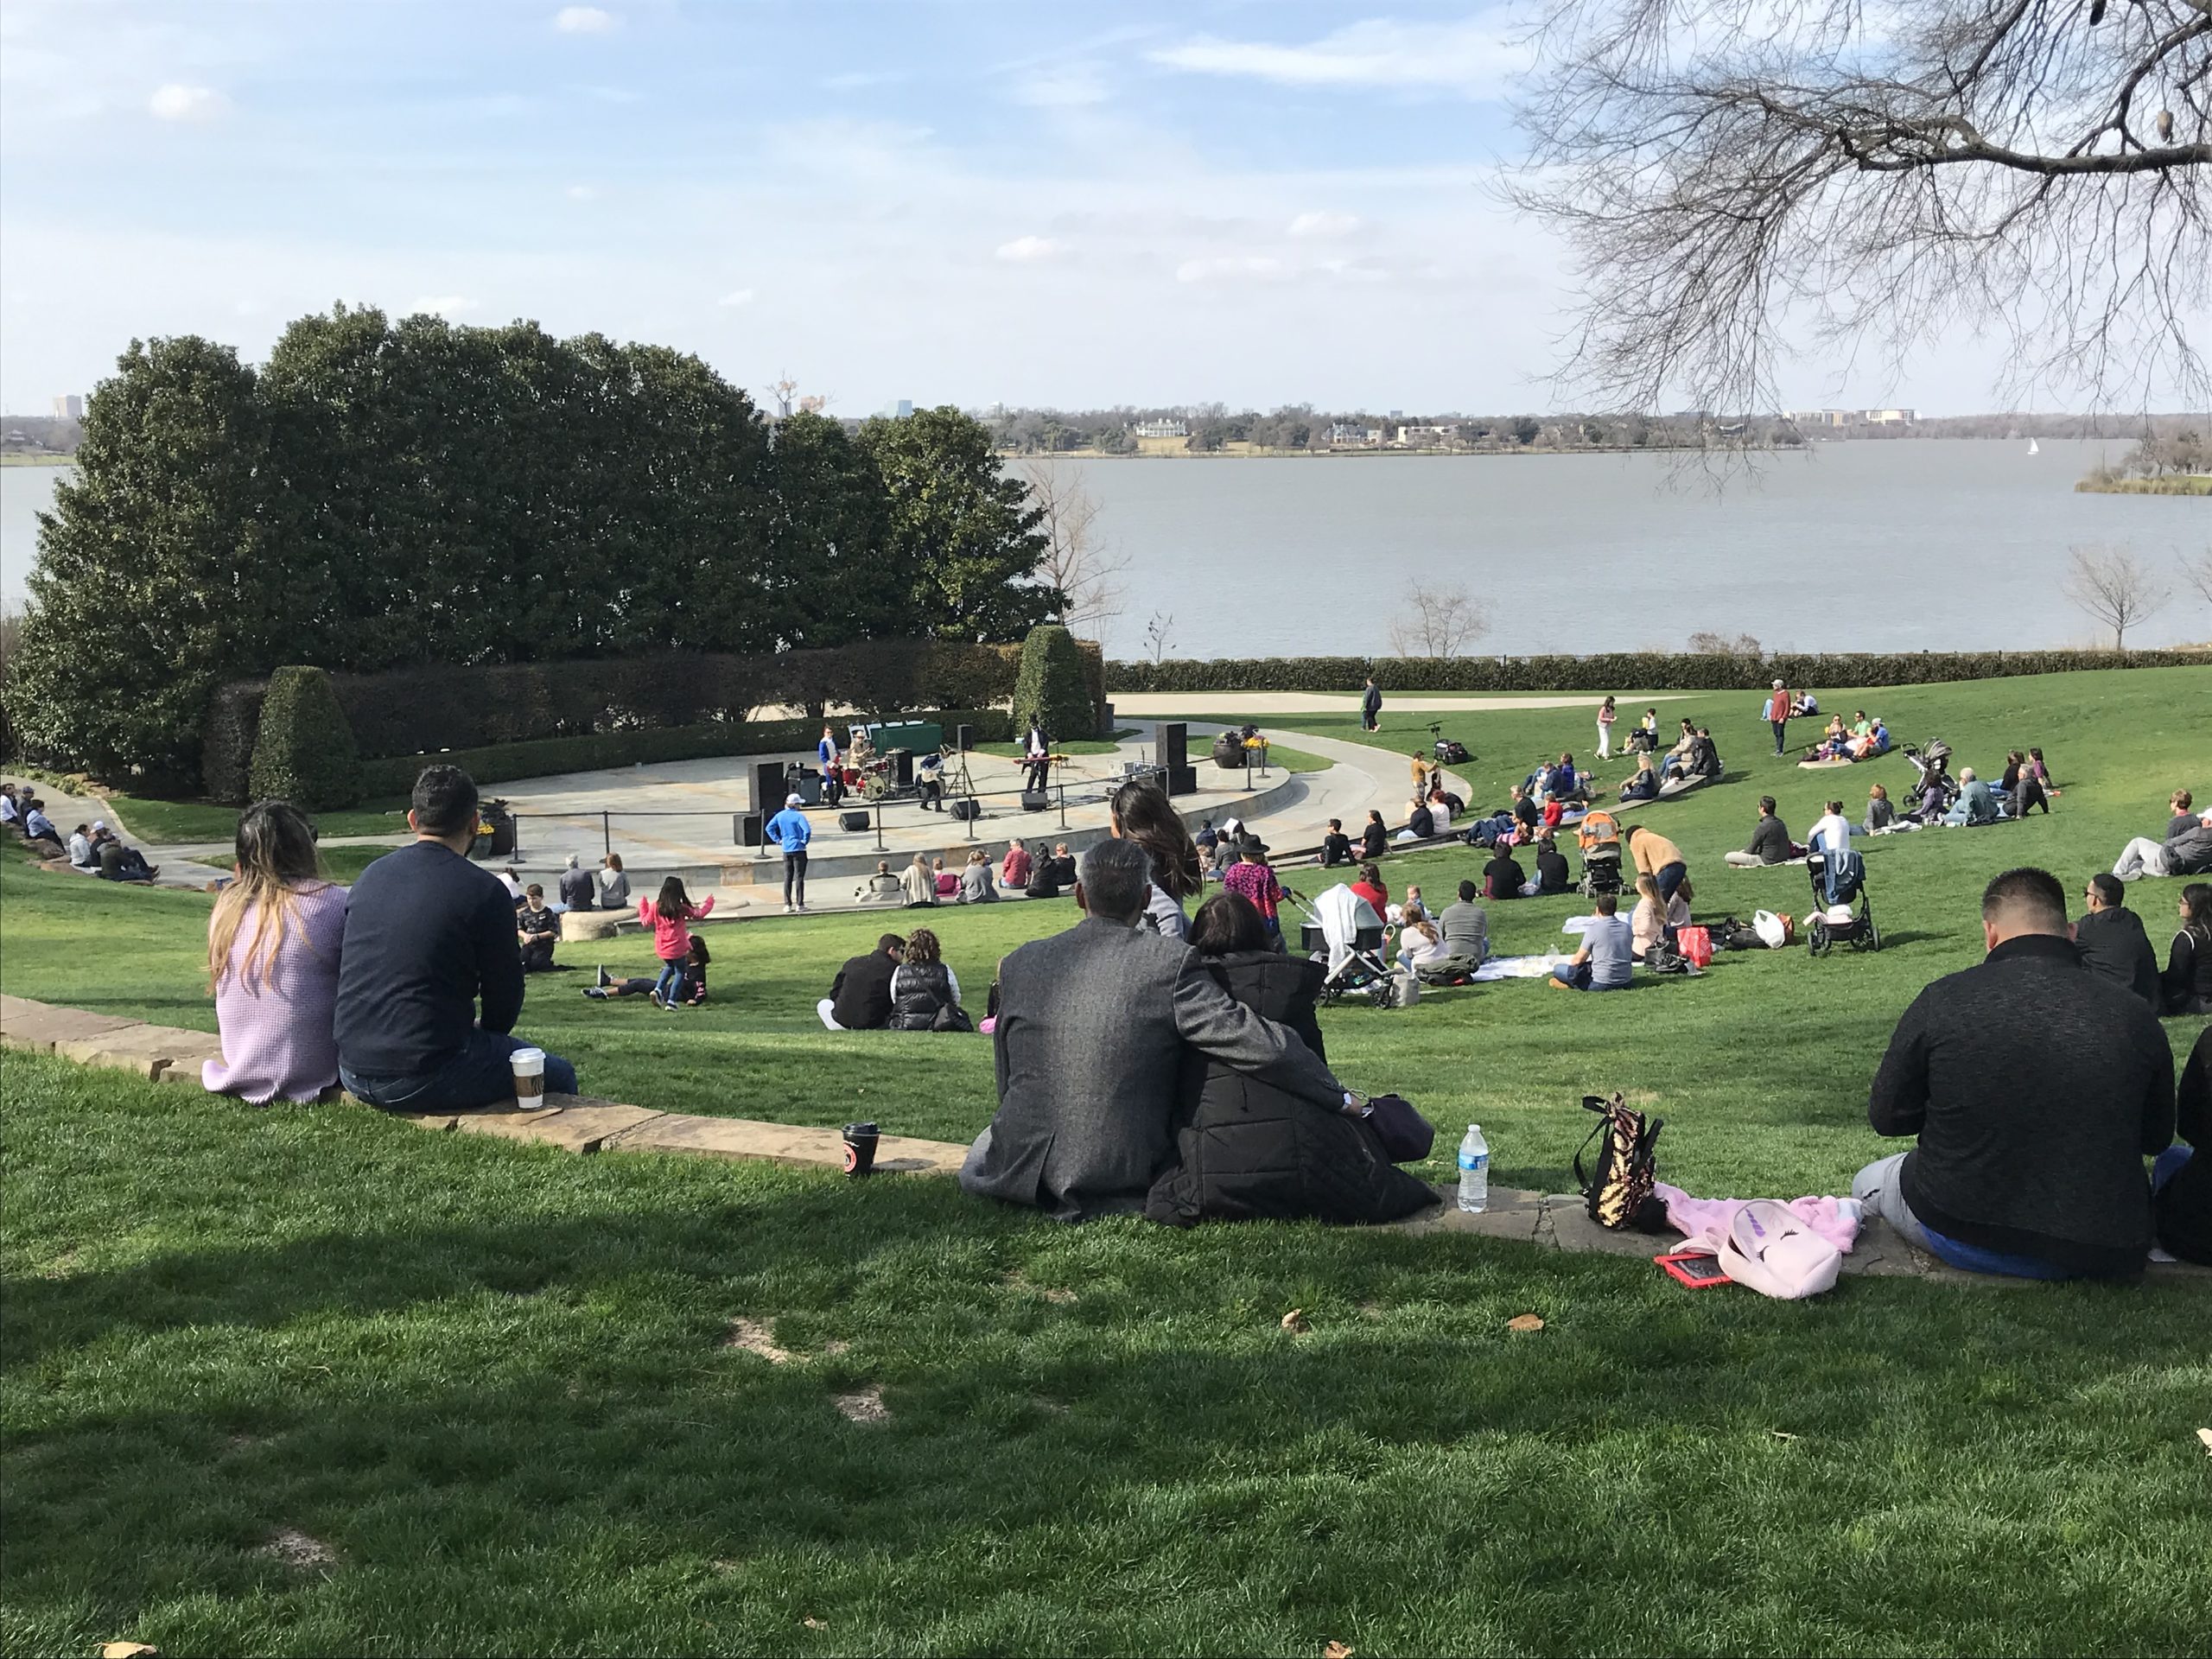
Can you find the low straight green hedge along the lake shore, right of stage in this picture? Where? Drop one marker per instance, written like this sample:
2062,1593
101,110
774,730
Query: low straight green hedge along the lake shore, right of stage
1620,671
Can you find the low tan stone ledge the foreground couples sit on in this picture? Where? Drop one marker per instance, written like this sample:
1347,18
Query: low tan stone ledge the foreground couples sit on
585,1125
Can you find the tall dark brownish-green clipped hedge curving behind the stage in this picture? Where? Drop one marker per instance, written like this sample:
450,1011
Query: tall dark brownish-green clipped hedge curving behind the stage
424,711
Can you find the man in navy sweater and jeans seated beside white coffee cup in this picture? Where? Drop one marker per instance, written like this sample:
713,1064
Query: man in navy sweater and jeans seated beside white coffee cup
430,939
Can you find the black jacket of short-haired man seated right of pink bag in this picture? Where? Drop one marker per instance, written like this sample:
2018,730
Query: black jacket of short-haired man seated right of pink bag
2036,1092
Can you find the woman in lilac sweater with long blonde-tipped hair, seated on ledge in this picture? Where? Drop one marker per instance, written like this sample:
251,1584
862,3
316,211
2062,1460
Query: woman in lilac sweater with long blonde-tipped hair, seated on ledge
273,963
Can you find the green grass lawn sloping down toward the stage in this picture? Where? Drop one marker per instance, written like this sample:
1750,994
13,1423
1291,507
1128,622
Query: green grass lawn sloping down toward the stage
494,1379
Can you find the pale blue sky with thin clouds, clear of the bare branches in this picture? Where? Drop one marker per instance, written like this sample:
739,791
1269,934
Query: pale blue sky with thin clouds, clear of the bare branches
897,200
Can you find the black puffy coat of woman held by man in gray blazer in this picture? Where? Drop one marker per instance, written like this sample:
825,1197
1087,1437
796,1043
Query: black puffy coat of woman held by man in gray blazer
1251,1151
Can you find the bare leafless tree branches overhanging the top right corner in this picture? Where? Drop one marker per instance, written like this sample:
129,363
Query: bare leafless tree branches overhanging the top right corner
1744,176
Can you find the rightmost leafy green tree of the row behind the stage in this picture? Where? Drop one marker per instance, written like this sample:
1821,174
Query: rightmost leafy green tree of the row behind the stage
963,532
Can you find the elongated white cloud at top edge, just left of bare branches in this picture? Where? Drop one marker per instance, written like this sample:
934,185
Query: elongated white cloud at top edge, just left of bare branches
1457,56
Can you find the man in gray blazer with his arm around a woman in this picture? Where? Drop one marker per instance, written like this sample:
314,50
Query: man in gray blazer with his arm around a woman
1094,1027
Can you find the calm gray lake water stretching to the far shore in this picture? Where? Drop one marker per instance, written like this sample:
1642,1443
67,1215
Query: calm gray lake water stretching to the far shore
1853,547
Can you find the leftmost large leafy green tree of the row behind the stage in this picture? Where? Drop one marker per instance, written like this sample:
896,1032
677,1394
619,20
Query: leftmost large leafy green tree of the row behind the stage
163,567
